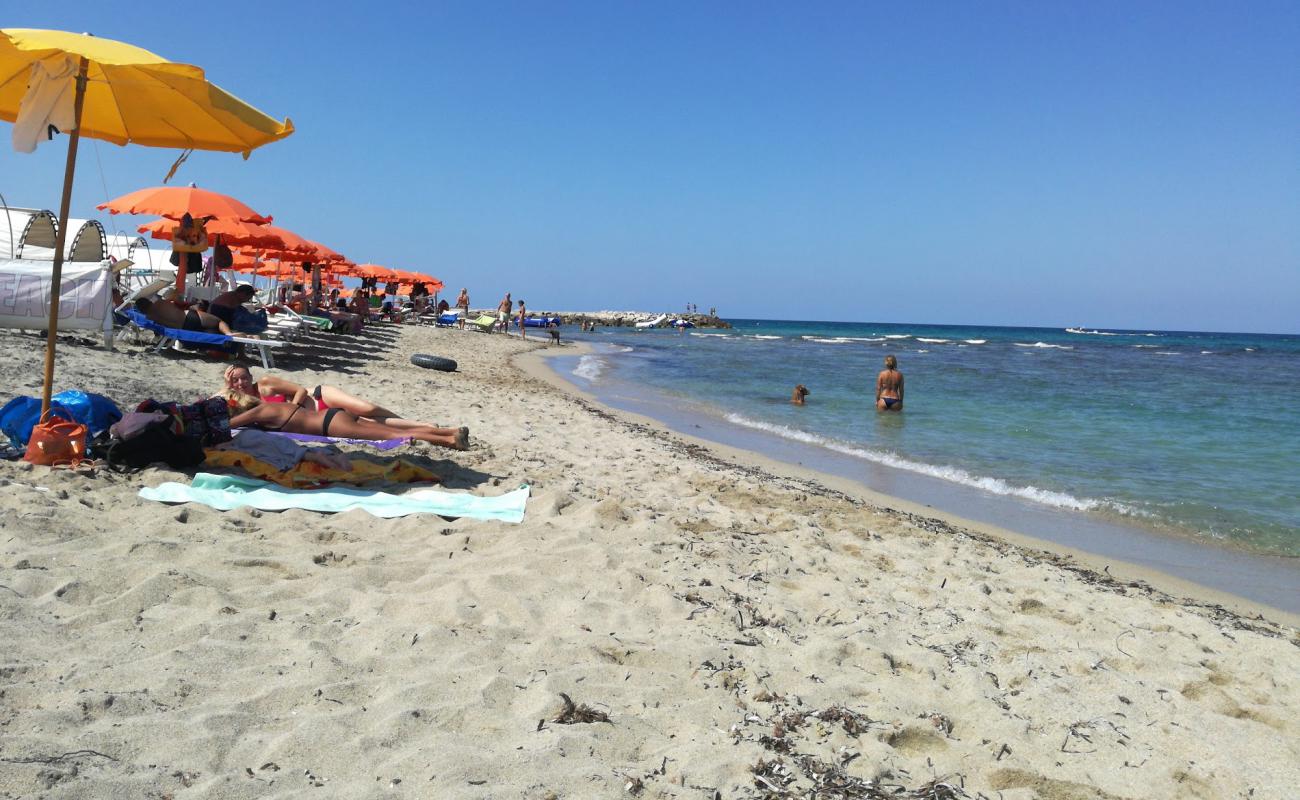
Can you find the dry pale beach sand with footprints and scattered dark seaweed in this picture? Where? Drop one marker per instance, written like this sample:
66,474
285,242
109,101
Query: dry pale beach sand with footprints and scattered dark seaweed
749,632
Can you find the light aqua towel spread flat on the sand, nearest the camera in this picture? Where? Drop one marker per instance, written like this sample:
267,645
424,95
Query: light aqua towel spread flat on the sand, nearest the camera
227,492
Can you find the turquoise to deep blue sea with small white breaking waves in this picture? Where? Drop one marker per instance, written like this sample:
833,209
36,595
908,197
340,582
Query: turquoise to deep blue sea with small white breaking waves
1197,434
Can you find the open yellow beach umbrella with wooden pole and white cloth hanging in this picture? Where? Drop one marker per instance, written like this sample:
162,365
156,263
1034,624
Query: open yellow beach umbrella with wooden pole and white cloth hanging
120,94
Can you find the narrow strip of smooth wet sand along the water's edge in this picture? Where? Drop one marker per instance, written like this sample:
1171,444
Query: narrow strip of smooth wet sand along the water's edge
1107,568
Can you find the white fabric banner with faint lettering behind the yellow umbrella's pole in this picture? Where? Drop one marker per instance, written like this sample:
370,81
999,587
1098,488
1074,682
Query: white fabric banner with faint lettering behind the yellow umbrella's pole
85,296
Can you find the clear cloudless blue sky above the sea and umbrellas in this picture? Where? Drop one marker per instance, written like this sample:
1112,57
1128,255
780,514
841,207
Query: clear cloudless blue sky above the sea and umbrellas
1107,165
